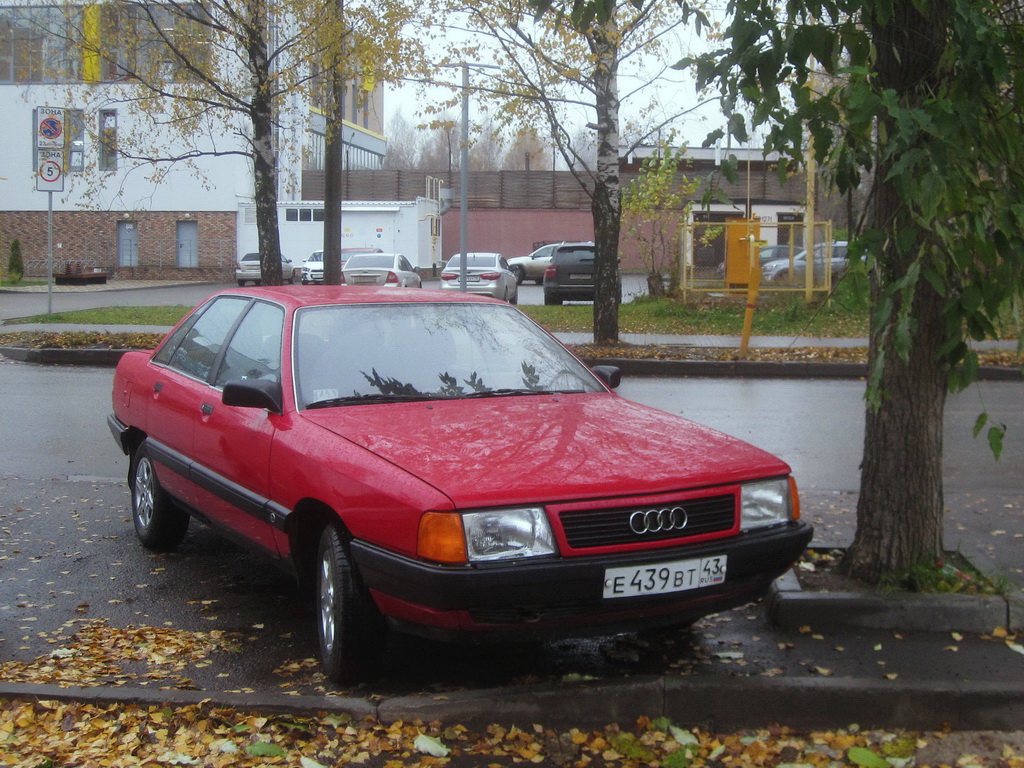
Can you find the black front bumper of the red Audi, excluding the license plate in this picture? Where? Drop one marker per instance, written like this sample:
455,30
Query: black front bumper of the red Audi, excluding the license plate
564,595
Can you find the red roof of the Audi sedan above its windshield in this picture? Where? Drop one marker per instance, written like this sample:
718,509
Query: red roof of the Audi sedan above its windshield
295,297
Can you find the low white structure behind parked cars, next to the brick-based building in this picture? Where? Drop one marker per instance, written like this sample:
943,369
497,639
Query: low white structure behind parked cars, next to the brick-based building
410,228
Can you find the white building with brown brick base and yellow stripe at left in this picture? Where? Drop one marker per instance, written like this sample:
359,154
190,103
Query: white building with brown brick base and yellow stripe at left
117,210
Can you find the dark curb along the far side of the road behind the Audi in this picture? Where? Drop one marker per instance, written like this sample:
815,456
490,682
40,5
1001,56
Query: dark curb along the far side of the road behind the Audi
629,366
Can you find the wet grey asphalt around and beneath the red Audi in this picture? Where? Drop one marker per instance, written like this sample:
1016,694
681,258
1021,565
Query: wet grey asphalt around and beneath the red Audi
69,556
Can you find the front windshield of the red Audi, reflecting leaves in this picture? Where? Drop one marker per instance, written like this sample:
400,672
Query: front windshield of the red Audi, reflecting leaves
362,354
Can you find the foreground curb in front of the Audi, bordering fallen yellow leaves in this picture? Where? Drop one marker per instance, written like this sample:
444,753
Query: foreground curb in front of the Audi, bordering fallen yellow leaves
718,703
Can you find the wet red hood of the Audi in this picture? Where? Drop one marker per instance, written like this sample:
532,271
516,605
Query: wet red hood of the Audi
533,449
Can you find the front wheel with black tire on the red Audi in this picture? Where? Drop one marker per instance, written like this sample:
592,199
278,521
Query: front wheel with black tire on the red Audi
352,631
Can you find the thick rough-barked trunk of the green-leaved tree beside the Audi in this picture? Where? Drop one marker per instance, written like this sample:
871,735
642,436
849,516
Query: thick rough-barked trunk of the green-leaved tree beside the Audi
900,525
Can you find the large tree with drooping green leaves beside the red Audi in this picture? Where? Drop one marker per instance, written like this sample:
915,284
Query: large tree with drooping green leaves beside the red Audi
924,98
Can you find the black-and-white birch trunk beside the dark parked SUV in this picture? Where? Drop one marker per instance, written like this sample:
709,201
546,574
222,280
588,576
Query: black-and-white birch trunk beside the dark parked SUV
607,203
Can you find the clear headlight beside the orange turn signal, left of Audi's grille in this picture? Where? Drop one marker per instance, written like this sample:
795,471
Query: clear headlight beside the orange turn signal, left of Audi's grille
505,534
